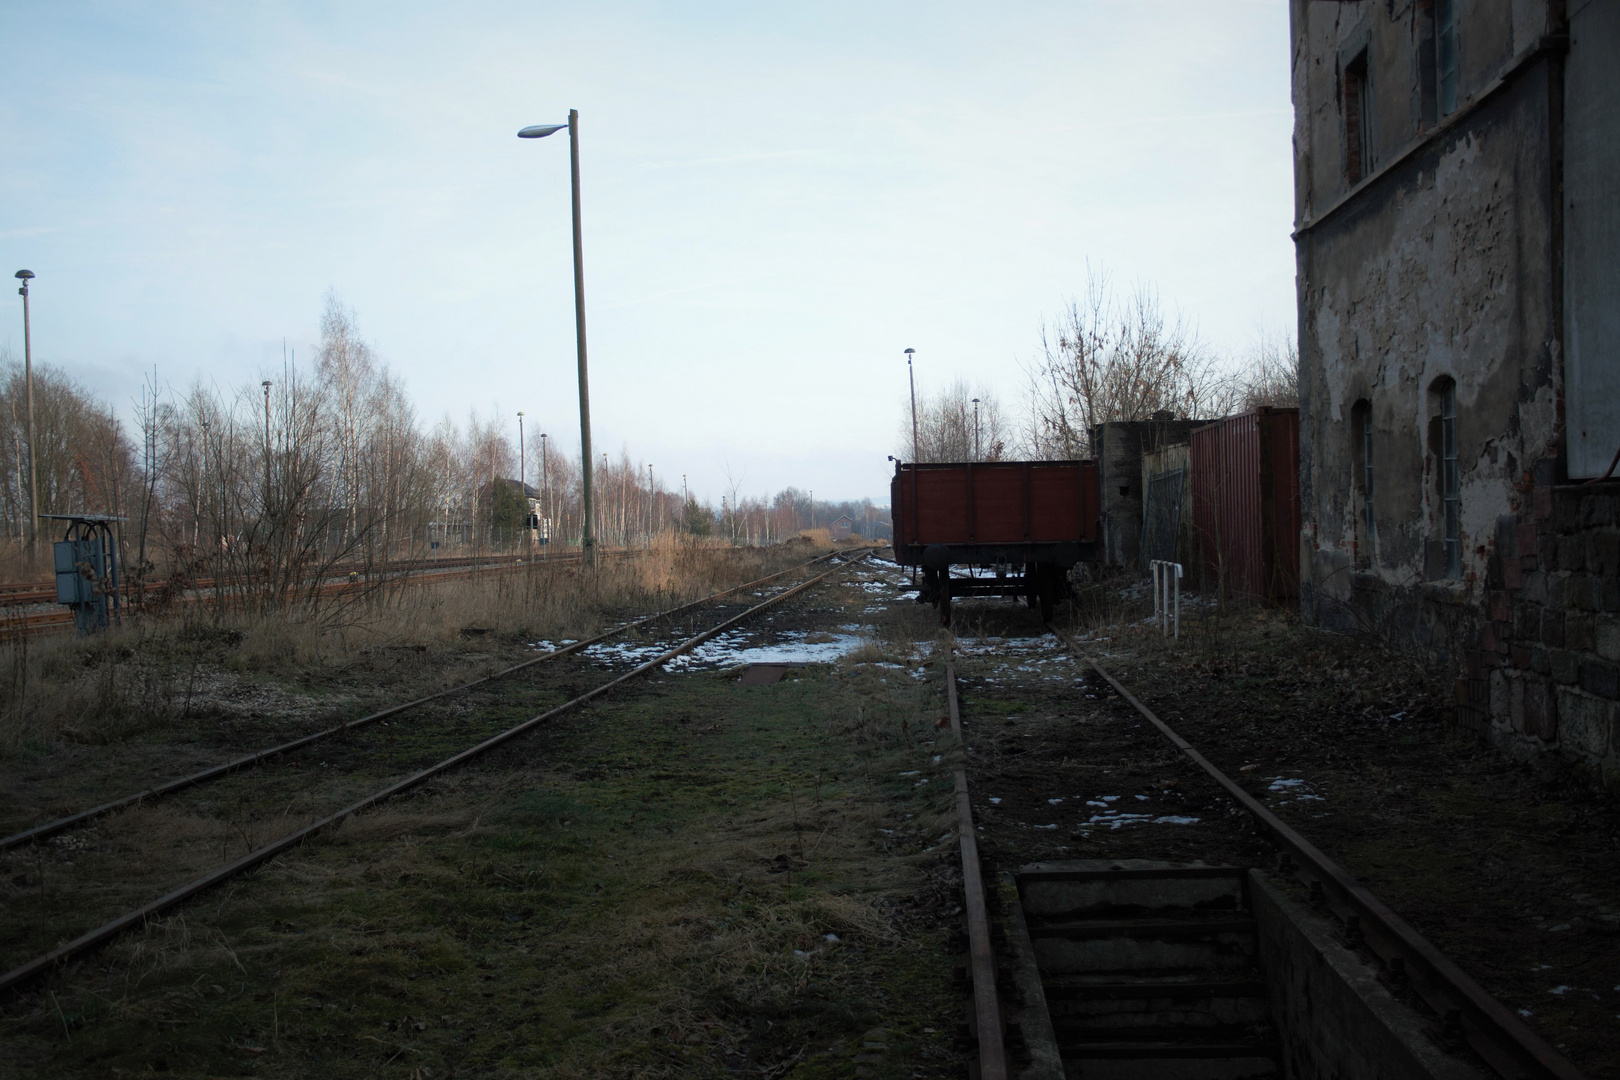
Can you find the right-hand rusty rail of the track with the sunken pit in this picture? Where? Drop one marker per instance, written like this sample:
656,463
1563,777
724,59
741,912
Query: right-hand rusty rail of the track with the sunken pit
1469,1013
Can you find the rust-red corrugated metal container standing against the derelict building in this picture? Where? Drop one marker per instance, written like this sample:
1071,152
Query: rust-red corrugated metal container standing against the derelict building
1247,504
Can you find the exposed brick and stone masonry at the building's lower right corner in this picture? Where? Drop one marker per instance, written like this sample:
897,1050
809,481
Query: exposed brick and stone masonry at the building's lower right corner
1546,668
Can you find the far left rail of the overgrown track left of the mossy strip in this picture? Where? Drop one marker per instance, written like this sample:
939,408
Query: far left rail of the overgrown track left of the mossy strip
247,762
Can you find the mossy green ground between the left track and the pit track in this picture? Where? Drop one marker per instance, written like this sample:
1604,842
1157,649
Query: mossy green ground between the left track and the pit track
693,880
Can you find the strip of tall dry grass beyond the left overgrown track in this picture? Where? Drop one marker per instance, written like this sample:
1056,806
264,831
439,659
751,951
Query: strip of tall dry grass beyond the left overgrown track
160,673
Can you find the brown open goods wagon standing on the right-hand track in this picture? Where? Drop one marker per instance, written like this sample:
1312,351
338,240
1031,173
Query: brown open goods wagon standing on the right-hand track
1030,522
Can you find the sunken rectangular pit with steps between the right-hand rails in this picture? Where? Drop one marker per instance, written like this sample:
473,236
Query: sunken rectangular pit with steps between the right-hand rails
1145,971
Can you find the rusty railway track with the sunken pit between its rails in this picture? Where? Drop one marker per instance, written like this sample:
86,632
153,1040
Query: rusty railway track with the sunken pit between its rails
1465,1018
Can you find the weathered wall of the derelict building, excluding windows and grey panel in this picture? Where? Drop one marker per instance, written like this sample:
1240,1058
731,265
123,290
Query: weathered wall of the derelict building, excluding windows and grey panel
1447,265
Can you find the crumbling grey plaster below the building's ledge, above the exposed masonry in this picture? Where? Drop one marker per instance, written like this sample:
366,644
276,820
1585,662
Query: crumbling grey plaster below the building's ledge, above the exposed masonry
1430,279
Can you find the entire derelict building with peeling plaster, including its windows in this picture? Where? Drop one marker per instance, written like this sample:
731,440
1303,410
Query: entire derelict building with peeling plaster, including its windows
1457,203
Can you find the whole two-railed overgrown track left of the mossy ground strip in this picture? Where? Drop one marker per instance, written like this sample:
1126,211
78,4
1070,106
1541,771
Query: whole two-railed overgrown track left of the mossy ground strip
417,776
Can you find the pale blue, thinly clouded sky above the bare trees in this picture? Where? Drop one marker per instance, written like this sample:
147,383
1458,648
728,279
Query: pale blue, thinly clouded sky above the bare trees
778,202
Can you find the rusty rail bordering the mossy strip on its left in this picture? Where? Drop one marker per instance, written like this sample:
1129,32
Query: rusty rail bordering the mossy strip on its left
266,853
